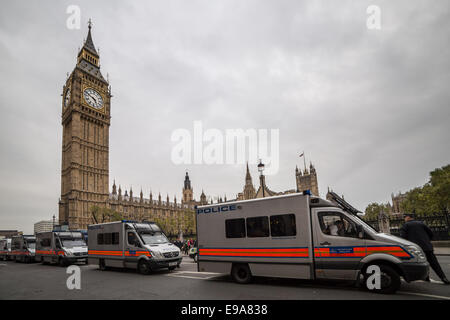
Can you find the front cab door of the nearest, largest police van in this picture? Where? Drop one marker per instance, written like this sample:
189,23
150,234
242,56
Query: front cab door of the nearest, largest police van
337,248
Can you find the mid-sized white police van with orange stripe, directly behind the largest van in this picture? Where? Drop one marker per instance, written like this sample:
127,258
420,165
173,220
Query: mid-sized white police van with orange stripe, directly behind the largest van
131,244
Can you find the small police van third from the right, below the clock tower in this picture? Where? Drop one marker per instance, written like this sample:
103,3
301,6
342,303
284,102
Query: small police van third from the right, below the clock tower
61,247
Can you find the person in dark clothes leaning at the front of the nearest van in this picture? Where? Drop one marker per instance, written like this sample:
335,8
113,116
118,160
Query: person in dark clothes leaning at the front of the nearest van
419,233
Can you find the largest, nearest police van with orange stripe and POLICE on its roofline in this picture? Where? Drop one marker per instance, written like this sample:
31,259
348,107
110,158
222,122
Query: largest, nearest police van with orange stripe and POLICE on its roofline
304,237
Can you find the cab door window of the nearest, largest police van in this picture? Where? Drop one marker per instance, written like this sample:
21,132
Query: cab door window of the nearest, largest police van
335,224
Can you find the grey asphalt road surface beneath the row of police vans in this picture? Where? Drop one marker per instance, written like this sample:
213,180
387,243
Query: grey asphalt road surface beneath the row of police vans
38,281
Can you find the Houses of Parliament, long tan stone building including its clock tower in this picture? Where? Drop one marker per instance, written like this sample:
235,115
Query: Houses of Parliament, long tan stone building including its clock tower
86,120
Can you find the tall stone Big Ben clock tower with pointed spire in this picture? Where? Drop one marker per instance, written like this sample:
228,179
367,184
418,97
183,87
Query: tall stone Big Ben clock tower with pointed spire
86,118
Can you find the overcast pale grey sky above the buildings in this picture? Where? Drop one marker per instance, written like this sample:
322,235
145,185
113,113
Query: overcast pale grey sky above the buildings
370,108
